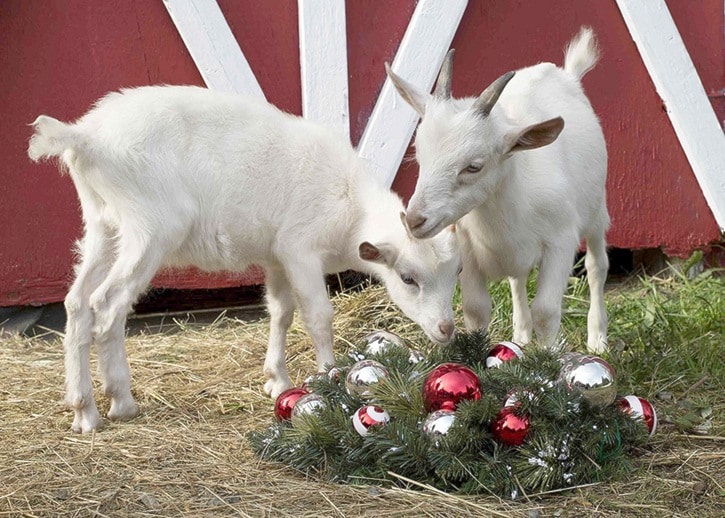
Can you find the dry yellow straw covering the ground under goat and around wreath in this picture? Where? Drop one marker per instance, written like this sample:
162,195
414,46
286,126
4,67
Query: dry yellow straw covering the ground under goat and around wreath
200,390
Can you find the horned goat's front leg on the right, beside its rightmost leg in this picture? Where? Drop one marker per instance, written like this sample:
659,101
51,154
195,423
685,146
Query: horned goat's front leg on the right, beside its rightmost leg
556,264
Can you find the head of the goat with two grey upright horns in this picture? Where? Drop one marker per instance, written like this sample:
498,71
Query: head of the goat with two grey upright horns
460,145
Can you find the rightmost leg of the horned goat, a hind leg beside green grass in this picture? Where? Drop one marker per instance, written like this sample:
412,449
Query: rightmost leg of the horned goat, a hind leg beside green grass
597,265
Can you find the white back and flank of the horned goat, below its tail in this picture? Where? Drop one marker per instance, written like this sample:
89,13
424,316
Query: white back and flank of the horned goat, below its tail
568,175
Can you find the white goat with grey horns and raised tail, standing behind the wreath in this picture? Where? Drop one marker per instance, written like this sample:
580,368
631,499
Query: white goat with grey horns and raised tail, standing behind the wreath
517,206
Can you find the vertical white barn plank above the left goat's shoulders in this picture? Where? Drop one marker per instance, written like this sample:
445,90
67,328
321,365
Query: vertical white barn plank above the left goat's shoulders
323,63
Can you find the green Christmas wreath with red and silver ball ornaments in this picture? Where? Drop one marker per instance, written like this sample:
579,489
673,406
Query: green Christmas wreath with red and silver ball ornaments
465,417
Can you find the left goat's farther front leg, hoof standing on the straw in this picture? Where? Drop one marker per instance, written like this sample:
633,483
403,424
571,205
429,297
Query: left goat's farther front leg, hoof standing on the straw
280,305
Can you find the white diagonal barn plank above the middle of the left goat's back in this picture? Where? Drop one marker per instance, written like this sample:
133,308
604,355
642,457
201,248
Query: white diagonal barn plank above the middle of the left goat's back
213,47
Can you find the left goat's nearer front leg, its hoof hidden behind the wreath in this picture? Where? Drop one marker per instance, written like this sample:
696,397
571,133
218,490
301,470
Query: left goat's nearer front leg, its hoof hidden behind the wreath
308,283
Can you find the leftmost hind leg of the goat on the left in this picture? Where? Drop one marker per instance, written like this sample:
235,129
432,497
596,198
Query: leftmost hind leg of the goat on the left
96,250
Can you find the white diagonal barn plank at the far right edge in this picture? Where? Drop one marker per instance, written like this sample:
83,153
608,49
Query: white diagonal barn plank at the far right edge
678,84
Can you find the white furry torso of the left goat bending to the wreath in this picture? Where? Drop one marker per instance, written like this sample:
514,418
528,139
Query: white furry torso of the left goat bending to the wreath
231,176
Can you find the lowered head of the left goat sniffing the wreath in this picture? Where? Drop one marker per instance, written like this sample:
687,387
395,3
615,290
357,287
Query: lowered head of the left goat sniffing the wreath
420,276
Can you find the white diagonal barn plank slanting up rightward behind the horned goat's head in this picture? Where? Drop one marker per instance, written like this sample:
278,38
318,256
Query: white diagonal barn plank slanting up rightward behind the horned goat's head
419,57
